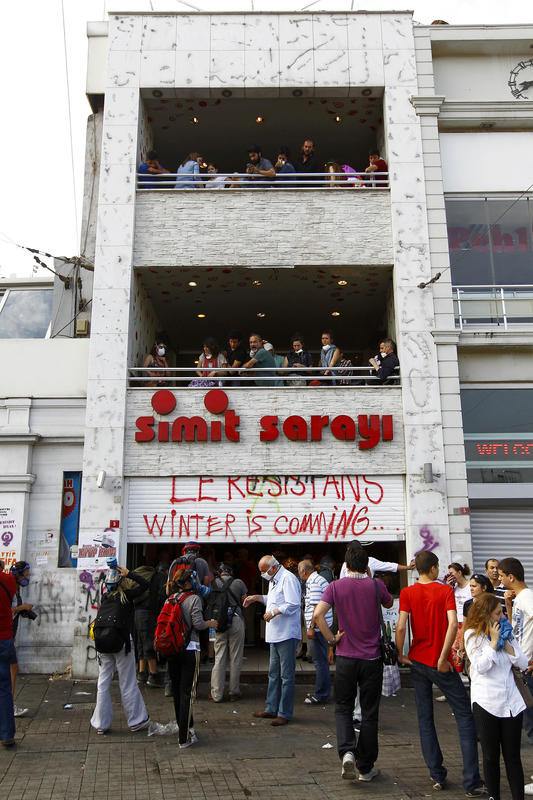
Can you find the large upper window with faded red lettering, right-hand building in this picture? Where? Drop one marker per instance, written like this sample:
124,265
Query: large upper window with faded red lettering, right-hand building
490,240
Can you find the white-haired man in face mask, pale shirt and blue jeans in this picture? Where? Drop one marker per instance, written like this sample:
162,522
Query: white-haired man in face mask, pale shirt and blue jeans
283,632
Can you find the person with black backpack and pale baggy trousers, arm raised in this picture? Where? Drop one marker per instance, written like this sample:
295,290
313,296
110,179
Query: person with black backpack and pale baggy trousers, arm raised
112,632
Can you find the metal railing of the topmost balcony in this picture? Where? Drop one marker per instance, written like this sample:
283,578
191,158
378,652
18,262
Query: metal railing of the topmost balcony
242,180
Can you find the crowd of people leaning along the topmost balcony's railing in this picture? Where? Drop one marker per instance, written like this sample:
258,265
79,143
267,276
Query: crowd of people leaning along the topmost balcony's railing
194,172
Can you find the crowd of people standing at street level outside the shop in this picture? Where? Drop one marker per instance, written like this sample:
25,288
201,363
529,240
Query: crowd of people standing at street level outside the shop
471,637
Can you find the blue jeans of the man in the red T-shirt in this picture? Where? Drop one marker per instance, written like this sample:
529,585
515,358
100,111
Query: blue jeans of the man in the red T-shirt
451,686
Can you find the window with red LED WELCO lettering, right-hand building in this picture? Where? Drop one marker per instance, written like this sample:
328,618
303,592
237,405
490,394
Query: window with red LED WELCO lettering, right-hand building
498,432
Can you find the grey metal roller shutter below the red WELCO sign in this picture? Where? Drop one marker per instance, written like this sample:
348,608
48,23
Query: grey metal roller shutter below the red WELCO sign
502,532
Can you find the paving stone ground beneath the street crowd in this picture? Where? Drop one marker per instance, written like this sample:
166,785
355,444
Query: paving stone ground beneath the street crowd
59,757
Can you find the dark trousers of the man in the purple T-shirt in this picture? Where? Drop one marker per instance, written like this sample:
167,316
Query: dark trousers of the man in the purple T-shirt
367,675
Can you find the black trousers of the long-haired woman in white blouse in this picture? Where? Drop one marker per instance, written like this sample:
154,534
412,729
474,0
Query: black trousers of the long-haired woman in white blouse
505,733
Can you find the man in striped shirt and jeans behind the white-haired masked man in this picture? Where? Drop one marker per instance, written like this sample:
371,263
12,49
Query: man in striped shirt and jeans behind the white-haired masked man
315,586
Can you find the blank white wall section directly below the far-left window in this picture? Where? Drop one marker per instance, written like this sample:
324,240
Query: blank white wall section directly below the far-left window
44,367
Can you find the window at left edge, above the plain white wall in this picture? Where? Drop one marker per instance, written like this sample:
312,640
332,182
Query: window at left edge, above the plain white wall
25,313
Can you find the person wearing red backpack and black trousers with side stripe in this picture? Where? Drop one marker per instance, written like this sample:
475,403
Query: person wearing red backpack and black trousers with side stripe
184,664
